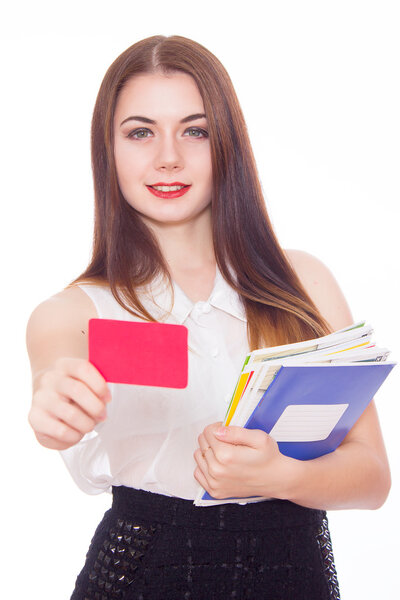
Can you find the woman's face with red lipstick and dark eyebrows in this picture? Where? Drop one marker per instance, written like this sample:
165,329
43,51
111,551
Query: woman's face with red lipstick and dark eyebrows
161,144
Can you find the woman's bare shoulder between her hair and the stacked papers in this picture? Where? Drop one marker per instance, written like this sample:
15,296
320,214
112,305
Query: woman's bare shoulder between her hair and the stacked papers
322,287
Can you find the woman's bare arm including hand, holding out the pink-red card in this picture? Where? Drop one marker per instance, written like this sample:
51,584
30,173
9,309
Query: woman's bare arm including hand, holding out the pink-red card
69,394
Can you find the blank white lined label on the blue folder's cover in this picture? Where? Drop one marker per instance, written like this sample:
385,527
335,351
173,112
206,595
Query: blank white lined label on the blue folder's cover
307,422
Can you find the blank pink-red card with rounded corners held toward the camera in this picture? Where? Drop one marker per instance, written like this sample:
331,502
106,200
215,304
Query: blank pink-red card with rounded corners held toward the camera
139,353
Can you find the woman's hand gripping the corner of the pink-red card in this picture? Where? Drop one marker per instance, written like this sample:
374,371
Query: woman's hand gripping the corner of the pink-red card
69,400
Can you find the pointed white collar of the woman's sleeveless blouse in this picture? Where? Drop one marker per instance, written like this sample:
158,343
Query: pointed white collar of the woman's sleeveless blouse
160,305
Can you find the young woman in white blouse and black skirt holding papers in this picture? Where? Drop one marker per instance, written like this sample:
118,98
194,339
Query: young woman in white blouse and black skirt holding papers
182,236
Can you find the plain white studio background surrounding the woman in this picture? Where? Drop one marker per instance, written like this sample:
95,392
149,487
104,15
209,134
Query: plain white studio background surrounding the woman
319,86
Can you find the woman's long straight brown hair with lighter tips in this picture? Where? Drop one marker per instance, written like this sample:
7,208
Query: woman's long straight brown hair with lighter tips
125,252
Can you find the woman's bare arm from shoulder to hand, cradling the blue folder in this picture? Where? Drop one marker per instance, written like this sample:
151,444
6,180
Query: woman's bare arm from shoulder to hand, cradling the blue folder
245,463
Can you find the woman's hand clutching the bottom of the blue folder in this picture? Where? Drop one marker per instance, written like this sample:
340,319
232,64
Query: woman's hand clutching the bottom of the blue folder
237,462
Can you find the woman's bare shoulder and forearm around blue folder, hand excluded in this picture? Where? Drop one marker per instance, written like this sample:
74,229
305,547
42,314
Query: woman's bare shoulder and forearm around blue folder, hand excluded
357,474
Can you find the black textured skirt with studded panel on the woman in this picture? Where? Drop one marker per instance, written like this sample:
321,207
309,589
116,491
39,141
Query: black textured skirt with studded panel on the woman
153,547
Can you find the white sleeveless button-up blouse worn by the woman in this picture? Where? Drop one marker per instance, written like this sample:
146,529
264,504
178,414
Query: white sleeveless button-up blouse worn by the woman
150,434
